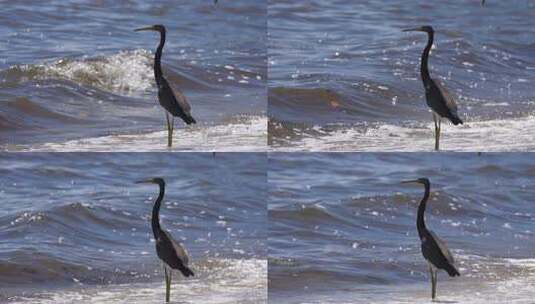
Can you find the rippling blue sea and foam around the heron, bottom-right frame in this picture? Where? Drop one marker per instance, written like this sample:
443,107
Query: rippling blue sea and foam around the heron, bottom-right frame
342,229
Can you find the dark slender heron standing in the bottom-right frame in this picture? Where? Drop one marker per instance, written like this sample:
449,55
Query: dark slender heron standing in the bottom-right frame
433,248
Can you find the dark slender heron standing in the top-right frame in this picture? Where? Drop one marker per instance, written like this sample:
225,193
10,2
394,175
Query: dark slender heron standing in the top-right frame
438,98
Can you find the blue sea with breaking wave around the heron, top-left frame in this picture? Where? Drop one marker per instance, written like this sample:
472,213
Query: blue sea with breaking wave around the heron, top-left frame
74,72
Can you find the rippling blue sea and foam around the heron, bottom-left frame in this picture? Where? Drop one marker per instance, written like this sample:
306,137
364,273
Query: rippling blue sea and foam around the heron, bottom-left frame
75,228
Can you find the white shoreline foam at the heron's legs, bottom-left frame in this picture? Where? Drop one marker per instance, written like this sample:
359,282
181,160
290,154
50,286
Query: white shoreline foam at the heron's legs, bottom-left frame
237,281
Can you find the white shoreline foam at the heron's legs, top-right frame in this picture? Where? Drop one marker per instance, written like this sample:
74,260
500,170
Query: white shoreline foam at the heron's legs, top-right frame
482,136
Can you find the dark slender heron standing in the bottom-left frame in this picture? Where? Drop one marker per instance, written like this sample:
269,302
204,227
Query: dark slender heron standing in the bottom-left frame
171,252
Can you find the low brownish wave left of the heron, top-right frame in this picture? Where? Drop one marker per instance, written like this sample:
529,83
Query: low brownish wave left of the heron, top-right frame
364,102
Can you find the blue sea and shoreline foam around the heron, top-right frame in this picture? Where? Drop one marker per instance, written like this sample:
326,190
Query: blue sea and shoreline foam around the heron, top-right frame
343,77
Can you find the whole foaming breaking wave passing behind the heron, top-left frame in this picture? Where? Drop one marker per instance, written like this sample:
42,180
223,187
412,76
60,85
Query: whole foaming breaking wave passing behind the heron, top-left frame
126,73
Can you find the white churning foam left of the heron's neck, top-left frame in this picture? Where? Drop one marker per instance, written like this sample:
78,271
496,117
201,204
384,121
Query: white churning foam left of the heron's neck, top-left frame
125,73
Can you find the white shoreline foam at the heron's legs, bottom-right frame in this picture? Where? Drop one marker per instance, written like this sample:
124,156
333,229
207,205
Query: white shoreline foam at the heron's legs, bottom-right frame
517,287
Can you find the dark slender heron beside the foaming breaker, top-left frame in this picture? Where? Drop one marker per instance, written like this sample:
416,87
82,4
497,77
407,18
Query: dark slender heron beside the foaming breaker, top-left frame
171,99
